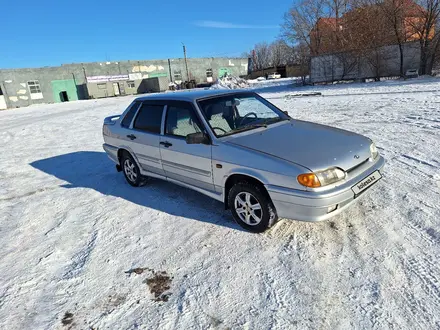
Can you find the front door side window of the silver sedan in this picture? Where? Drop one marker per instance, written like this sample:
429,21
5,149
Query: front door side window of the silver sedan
181,120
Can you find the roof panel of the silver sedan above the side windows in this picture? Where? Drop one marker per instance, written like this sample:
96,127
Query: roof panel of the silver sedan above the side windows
190,95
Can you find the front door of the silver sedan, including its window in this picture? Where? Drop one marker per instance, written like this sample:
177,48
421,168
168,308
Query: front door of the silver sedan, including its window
188,163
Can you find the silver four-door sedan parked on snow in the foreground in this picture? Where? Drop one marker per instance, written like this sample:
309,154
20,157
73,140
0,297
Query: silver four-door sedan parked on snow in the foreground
238,148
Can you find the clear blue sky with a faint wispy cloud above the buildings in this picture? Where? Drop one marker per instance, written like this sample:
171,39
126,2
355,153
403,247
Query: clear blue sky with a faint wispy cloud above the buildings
43,33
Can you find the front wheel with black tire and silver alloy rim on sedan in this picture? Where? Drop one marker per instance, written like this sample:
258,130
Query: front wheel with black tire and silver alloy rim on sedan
251,207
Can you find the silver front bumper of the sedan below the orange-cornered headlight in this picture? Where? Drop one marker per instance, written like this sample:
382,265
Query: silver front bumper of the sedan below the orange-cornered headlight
314,205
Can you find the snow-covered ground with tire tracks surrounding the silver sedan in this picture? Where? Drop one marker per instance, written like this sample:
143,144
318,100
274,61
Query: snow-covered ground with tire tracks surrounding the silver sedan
70,229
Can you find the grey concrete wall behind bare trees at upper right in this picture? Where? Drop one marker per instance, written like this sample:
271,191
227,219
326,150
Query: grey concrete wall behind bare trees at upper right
326,68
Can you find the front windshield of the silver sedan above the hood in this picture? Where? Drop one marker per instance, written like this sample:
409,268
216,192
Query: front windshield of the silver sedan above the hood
235,113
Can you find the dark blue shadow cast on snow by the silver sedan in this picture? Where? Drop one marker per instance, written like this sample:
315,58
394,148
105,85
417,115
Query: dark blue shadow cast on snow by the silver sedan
93,170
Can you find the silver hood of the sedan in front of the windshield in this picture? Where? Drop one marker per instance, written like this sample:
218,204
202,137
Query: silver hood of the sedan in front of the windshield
314,146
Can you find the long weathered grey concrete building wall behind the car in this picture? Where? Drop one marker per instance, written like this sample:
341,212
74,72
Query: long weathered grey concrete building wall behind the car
14,82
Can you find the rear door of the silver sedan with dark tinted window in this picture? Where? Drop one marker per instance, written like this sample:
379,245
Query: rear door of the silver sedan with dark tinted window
145,136
